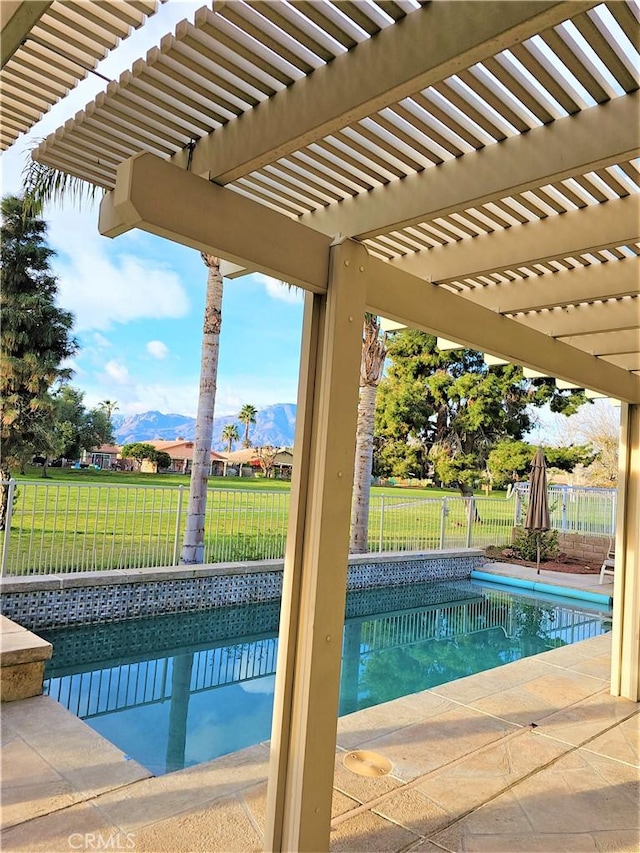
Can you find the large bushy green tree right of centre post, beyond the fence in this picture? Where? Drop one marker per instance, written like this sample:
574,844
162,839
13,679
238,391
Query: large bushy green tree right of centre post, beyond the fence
446,410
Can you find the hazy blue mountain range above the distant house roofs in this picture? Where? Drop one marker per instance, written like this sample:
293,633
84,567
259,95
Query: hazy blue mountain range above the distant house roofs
274,425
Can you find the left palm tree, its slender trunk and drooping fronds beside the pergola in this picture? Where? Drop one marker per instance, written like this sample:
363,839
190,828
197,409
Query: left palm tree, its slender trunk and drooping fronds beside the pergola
44,184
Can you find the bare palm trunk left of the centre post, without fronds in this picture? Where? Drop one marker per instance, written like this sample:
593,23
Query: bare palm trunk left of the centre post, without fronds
193,542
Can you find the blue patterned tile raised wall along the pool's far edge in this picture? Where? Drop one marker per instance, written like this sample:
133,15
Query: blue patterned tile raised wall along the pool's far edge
55,601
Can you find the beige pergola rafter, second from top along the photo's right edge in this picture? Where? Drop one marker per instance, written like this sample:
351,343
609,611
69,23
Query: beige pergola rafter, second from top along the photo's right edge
613,223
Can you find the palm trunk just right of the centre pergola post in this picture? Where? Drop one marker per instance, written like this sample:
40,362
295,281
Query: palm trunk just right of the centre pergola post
374,351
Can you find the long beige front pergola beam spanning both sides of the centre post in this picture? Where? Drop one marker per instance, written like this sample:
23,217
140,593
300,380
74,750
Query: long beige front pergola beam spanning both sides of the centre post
156,196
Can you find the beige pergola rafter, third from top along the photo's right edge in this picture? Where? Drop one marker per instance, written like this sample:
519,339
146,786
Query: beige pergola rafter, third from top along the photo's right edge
569,287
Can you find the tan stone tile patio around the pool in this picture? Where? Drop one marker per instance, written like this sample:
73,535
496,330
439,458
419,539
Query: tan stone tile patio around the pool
535,756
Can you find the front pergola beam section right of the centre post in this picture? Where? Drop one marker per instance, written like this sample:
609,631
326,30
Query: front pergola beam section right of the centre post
402,297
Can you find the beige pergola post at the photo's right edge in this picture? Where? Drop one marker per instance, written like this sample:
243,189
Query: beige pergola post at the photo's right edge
625,661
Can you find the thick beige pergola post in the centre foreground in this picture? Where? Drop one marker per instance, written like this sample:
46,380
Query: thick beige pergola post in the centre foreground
313,599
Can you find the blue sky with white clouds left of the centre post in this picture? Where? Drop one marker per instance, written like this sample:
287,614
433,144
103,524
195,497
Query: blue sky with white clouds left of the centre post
138,299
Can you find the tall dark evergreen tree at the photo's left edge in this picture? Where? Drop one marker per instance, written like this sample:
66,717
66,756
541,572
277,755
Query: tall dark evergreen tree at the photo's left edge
35,337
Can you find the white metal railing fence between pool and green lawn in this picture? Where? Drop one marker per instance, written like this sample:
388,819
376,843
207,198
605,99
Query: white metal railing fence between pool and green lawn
69,527
